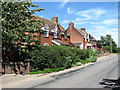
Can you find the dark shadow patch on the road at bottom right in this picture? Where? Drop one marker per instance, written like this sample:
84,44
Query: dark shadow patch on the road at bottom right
111,83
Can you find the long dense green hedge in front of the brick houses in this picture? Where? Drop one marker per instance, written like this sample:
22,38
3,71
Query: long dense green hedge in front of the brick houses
54,57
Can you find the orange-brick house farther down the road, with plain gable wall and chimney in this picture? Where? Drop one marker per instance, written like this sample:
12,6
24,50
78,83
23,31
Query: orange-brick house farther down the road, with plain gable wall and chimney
80,38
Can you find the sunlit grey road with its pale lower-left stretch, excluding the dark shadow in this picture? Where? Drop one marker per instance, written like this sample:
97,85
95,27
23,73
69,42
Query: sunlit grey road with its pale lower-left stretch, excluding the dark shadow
86,77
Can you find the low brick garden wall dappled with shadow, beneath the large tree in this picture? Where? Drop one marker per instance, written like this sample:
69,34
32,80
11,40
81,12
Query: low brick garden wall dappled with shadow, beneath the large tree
16,67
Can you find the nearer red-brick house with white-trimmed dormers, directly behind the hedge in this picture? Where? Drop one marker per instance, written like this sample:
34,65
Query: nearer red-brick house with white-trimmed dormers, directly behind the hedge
53,33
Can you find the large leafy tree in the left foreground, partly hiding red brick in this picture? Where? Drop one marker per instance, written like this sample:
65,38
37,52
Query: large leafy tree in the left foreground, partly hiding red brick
18,28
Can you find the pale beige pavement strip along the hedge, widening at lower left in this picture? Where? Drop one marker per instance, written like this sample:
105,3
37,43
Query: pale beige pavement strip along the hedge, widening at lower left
15,81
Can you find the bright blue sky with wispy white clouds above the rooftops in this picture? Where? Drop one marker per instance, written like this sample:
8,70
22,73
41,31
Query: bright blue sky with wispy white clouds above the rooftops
98,18
